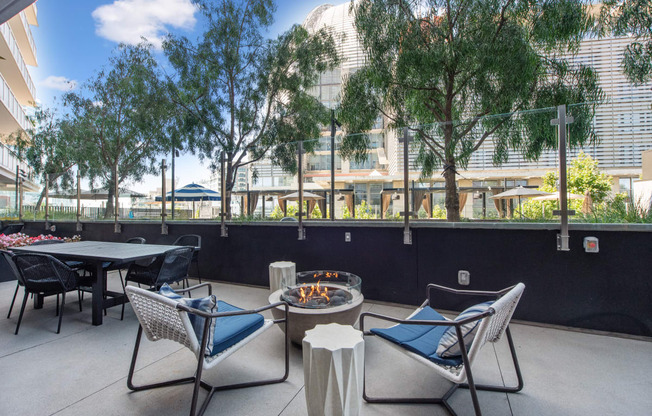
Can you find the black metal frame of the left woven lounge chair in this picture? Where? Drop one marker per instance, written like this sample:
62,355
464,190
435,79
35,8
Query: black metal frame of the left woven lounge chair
196,379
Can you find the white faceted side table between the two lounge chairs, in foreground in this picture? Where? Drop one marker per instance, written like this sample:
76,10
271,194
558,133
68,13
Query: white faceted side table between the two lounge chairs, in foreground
333,365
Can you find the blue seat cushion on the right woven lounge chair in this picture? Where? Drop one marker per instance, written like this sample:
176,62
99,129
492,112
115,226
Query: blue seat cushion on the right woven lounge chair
420,339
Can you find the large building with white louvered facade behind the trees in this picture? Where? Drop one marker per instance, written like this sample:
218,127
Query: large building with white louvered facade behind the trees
623,125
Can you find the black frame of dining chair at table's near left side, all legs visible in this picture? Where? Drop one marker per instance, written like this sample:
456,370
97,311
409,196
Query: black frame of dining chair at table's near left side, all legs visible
23,282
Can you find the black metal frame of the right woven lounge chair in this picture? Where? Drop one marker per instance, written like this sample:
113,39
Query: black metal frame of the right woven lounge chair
470,384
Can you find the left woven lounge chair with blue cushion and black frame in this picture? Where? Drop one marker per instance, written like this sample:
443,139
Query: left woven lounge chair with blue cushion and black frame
164,318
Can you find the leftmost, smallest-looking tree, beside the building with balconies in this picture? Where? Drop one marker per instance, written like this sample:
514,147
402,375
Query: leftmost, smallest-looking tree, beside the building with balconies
50,150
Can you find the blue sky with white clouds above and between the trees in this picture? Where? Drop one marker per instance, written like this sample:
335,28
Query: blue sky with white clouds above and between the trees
75,38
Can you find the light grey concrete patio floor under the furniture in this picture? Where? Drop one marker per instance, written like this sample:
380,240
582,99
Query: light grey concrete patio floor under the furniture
83,370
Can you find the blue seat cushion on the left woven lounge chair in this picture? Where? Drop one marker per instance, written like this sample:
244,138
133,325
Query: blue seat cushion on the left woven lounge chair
229,330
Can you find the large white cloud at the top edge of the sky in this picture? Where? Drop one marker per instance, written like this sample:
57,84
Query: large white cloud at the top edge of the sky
128,20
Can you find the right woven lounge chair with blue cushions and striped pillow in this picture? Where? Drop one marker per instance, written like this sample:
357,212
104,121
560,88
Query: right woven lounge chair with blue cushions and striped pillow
419,336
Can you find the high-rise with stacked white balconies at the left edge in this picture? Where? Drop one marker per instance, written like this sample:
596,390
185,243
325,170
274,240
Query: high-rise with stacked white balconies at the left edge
17,91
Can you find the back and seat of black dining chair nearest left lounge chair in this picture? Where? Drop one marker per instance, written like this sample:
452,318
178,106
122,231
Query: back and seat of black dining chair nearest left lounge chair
170,267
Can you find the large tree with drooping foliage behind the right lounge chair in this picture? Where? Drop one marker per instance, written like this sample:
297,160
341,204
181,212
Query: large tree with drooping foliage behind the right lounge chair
446,70
